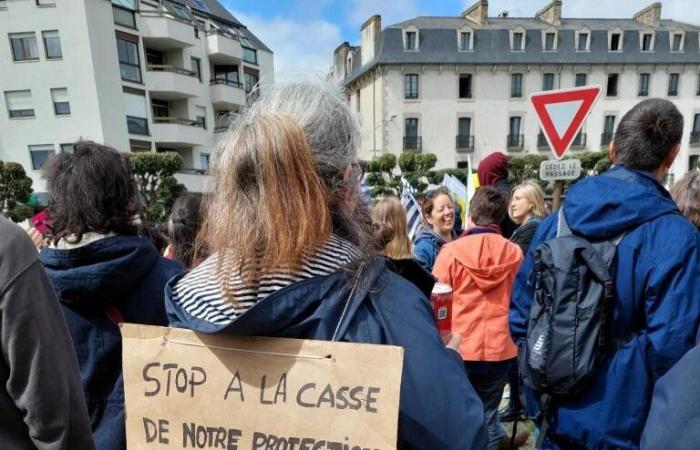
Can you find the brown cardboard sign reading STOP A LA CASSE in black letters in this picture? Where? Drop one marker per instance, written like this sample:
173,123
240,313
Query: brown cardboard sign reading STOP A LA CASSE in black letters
186,390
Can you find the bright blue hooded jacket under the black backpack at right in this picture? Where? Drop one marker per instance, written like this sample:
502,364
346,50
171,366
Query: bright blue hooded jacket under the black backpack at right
657,299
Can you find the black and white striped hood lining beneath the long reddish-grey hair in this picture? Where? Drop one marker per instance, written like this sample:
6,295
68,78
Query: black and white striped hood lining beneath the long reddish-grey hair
199,292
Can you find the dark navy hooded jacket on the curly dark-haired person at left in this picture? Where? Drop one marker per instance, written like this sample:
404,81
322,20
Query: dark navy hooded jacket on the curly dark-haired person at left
121,272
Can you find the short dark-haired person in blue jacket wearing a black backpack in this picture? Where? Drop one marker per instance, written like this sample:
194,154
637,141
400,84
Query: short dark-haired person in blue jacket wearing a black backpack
607,299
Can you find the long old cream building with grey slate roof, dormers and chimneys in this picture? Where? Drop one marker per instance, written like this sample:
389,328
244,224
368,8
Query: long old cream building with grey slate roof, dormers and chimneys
459,87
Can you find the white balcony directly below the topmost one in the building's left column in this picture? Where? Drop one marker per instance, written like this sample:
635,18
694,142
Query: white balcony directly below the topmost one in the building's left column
171,83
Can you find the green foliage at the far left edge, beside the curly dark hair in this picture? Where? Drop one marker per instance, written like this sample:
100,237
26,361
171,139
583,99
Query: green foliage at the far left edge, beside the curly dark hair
15,189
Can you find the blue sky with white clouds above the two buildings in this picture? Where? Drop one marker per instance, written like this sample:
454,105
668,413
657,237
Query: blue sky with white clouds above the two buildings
304,33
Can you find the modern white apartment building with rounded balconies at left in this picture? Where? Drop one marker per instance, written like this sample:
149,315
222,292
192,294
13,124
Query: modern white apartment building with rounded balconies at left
138,75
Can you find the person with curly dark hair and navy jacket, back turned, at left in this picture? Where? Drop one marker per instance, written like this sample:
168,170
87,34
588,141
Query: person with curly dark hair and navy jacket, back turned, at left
103,273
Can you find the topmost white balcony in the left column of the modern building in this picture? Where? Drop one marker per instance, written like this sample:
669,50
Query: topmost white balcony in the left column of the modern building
164,30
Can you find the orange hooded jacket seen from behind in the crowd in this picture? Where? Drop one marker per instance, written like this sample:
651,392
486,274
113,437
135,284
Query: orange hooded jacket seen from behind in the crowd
481,269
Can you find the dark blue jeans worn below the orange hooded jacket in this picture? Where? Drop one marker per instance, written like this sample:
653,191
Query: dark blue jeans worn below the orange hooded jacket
489,379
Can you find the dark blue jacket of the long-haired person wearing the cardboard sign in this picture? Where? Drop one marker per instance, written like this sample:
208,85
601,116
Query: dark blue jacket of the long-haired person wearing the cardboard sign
438,409
